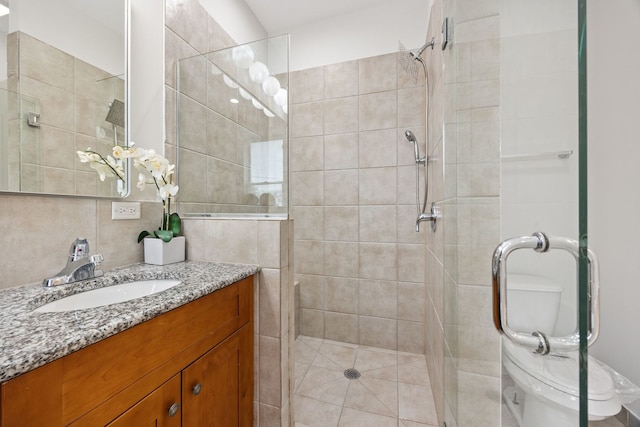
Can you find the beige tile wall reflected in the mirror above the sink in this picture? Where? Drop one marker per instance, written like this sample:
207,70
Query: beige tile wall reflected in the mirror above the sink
72,98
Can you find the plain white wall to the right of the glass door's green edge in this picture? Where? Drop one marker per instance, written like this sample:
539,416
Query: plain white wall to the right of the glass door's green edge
614,177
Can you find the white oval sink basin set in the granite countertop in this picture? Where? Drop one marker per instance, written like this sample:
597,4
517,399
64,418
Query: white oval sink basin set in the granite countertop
108,295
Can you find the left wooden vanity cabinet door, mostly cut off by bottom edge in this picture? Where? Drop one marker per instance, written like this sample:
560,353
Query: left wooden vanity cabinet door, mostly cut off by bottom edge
161,408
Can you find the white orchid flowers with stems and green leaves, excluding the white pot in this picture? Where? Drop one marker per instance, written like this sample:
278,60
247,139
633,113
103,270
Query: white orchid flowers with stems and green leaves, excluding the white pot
154,170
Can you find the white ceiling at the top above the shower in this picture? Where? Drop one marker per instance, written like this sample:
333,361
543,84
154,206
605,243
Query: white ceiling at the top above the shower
278,16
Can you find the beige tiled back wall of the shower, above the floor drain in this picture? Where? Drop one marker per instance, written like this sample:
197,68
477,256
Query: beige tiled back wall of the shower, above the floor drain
359,261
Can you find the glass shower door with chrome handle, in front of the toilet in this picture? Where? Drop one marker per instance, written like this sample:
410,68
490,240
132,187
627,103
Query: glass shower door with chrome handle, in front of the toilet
542,298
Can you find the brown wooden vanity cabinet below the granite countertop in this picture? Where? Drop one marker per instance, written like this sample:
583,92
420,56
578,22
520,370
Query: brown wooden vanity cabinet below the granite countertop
191,366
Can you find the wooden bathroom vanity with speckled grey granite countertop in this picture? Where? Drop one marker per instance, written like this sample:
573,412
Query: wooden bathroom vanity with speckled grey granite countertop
187,360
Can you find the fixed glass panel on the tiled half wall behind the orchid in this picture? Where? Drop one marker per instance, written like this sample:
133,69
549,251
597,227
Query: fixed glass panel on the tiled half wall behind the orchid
232,126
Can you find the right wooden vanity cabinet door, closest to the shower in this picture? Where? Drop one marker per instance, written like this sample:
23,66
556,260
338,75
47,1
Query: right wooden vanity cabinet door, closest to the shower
215,387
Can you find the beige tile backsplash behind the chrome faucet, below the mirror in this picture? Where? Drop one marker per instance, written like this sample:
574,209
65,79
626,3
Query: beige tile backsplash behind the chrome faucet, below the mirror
37,232
